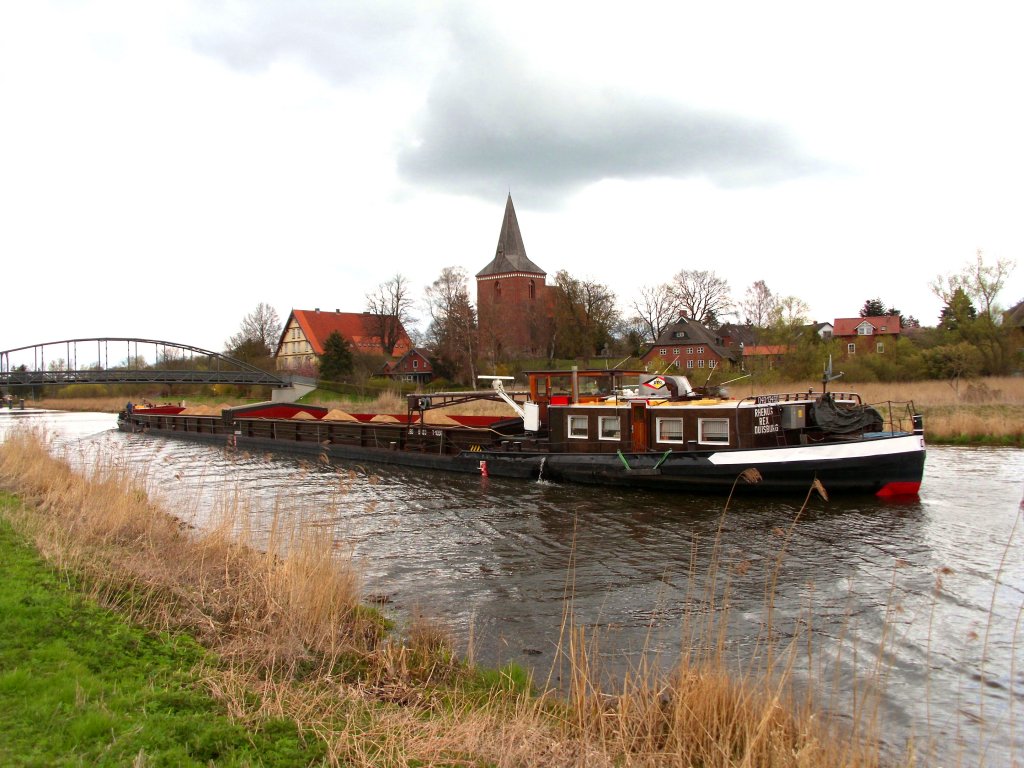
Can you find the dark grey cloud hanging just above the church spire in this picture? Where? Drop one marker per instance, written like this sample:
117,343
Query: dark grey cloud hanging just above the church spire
548,141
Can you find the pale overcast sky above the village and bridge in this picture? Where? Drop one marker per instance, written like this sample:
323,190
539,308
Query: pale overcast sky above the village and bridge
165,167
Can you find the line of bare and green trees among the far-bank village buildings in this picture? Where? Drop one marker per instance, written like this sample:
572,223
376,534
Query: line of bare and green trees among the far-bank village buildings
970,337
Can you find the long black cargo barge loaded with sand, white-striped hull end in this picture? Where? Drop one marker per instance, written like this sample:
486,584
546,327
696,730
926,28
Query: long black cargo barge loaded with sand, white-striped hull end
607,428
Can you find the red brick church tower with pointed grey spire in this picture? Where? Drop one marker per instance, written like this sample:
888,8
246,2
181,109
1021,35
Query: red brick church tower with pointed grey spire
511,297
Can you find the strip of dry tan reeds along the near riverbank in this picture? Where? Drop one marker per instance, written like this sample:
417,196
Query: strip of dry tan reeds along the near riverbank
293,642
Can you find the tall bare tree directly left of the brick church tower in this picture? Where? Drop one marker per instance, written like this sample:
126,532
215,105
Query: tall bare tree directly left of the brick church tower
453,324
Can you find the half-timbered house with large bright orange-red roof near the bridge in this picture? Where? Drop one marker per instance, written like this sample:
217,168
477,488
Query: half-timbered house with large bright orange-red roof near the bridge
307,331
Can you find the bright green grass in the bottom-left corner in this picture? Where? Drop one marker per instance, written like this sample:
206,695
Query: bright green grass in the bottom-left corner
80,687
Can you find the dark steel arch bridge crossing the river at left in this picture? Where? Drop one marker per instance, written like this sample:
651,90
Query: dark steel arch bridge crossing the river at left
135,362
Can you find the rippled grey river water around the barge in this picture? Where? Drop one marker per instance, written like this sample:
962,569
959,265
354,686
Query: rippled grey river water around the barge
922,600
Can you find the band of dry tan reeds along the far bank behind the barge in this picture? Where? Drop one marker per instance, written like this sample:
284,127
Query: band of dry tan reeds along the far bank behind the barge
972,412
